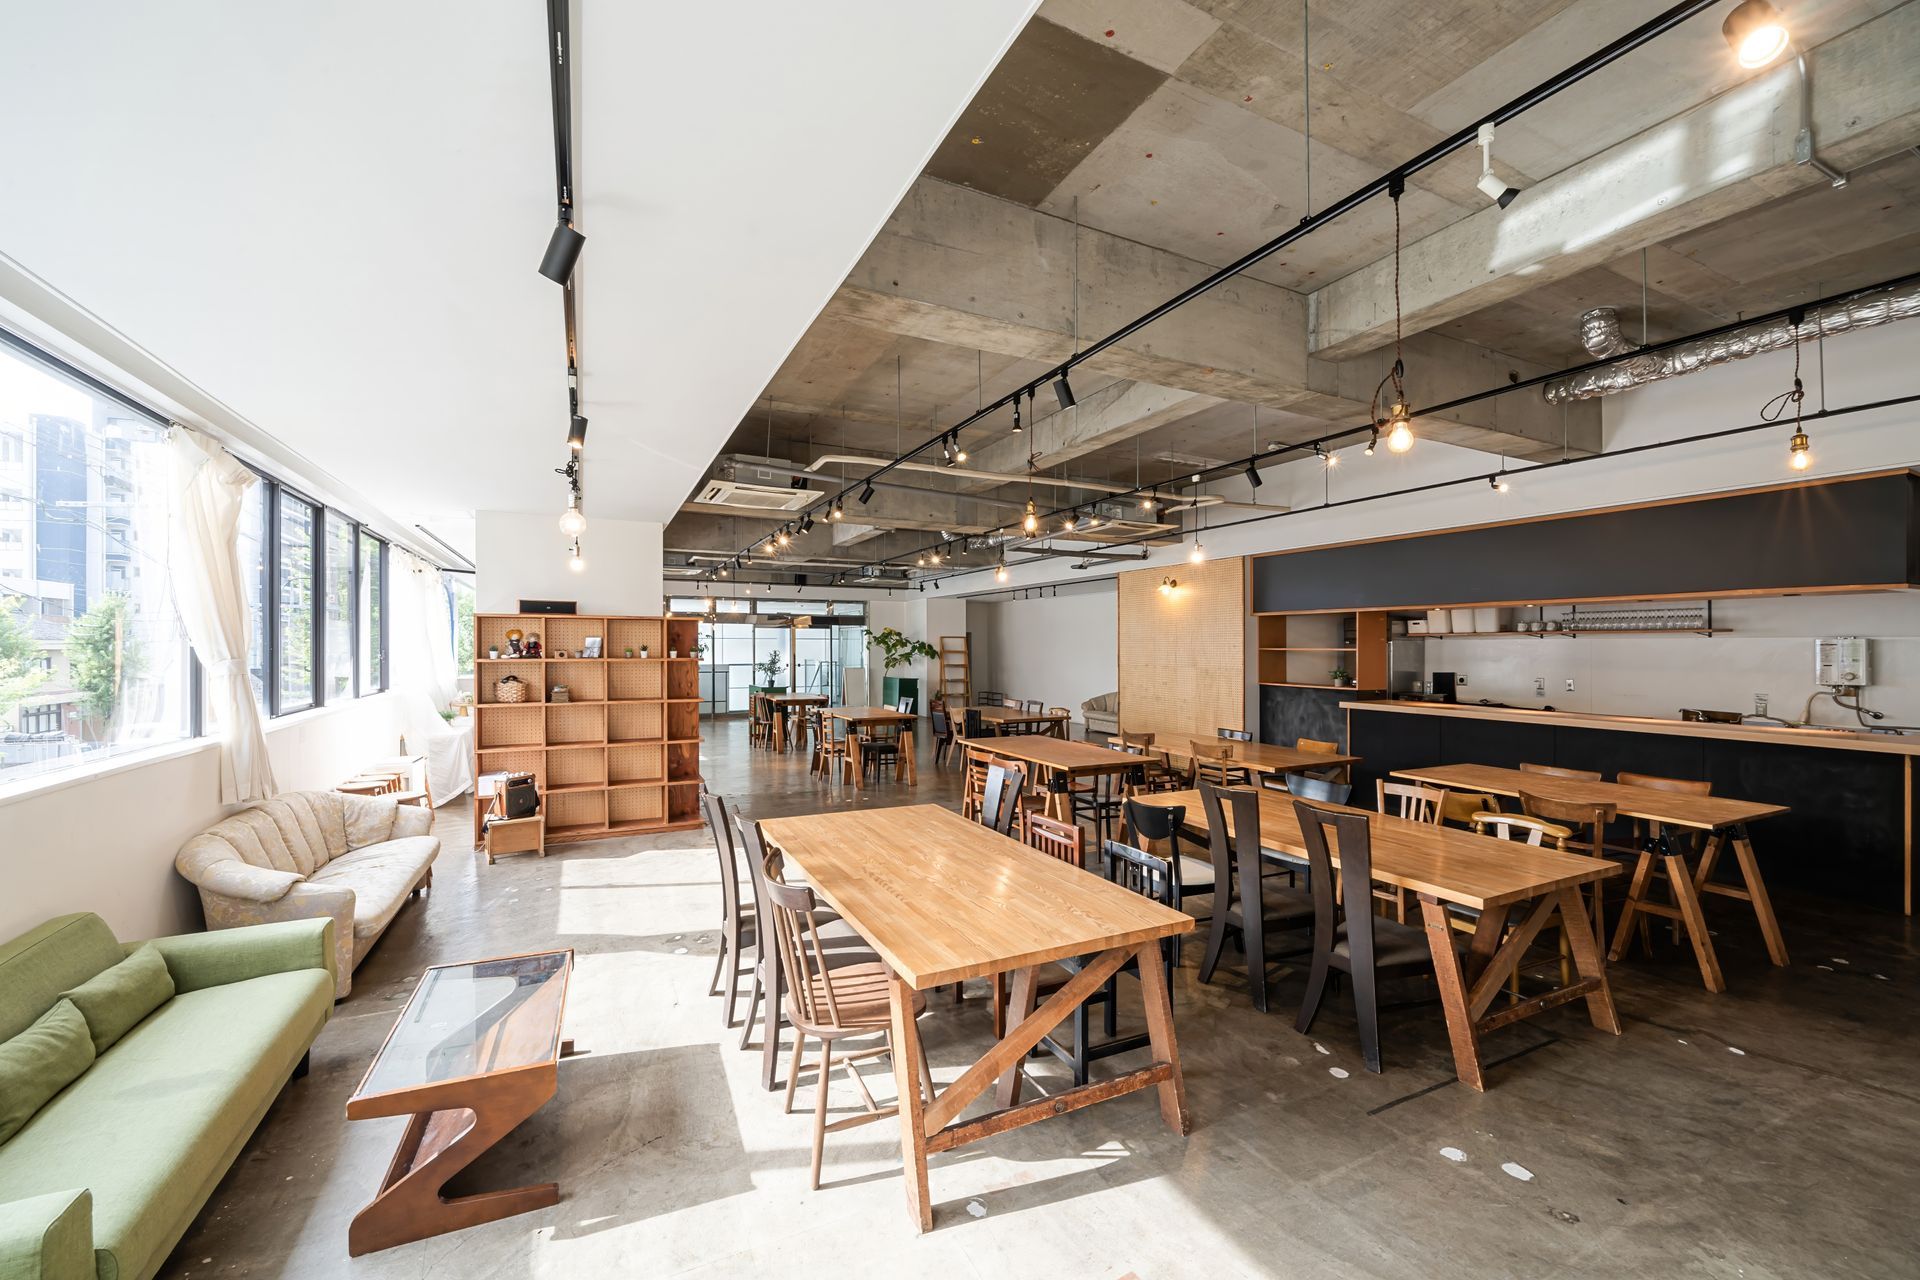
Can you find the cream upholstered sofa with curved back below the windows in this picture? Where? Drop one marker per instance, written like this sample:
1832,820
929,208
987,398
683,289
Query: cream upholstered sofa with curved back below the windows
314,853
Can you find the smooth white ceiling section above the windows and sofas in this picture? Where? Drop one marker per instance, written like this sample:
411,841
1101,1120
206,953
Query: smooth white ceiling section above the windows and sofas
329,216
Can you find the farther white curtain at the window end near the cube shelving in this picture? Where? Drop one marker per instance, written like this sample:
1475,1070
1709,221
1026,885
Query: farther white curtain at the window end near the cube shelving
425,680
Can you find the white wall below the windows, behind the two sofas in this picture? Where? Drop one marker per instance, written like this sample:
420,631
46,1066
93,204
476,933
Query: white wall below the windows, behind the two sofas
105,840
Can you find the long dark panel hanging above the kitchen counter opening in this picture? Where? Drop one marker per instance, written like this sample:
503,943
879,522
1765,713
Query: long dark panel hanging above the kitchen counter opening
1842,534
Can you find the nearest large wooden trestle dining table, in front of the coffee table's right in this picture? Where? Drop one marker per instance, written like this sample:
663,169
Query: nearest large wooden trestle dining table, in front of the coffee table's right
944,901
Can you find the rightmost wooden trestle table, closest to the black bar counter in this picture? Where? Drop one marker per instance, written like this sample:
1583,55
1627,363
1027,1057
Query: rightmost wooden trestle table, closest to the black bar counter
1721,820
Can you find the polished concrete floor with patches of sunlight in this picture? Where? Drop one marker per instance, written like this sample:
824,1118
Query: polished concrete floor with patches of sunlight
1769,1131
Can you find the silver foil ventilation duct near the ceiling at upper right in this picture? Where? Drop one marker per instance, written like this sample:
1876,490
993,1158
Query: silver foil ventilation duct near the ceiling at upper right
1600,335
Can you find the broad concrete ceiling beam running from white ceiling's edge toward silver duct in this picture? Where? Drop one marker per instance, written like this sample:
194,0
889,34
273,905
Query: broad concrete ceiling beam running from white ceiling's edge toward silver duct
961,268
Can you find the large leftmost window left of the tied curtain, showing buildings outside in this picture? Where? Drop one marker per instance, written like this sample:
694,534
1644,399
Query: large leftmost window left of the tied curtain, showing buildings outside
93,659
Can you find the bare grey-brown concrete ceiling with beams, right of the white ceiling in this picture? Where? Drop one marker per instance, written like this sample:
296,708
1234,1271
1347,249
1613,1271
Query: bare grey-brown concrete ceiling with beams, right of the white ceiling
1124,147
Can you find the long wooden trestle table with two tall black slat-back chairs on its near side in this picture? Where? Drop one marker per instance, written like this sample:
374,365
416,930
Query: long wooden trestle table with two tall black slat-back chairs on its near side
1454,868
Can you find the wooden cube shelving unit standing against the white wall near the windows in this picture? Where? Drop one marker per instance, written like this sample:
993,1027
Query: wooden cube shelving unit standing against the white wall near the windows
623,755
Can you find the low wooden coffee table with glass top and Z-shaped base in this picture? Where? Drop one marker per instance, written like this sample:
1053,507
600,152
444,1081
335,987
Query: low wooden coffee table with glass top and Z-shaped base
473,1055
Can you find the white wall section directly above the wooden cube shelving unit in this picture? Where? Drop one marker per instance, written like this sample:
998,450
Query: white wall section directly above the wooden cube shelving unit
523,557
